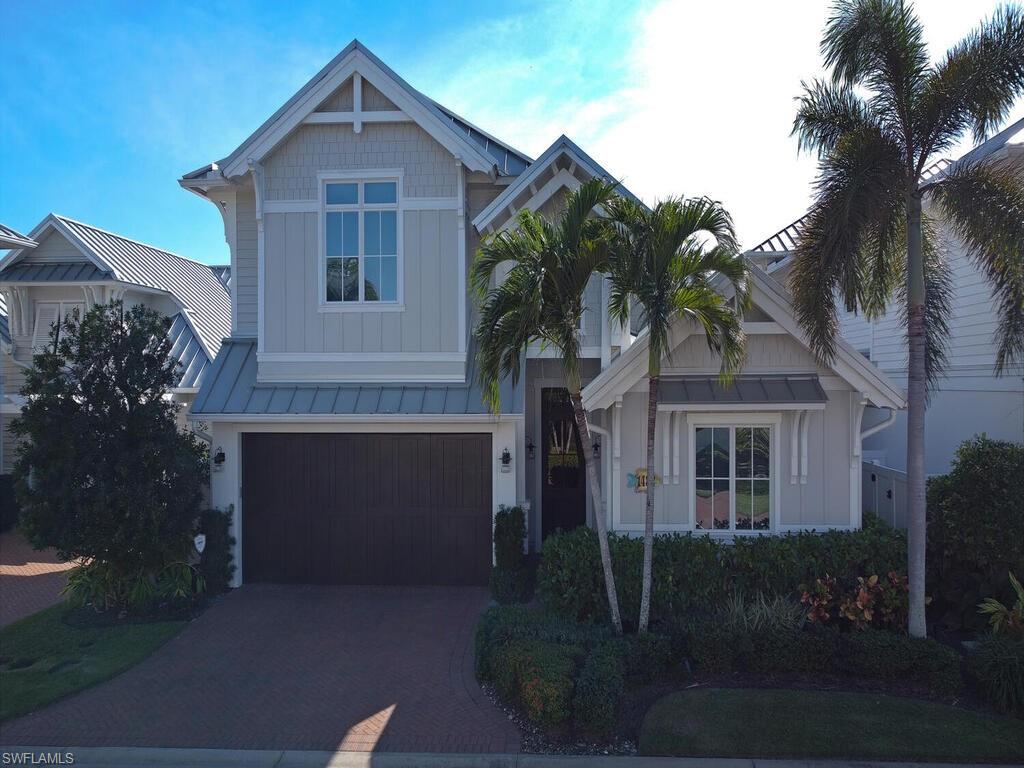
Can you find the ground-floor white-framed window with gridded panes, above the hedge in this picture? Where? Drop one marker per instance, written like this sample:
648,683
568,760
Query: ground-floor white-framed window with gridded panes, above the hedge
733,478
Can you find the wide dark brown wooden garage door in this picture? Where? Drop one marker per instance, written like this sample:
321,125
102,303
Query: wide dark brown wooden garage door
367,508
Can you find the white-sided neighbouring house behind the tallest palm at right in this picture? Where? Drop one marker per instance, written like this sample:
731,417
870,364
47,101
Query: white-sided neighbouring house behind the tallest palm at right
970,399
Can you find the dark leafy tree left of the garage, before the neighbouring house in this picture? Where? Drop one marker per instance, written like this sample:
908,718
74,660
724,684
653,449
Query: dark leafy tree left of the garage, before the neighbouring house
103,475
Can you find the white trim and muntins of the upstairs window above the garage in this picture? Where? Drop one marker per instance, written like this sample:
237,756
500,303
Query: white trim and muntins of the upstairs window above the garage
360,177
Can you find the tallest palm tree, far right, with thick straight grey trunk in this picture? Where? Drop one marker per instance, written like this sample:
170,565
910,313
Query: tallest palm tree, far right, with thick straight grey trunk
877,125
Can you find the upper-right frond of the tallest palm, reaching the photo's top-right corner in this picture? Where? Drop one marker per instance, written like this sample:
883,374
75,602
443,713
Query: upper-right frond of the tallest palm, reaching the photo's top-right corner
975,86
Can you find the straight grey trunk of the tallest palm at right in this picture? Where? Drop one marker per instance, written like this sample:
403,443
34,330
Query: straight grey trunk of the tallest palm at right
917,379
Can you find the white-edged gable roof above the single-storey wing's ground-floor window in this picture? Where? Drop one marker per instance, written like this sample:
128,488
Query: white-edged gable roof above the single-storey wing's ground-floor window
631,367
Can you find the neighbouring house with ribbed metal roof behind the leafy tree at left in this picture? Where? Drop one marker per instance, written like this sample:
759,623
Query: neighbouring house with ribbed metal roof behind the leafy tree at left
71,268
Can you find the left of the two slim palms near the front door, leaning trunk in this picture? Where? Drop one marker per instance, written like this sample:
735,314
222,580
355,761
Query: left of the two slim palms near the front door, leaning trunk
541,301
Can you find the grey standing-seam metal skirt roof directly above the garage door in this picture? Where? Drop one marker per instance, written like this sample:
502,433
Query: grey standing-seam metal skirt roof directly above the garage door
231,391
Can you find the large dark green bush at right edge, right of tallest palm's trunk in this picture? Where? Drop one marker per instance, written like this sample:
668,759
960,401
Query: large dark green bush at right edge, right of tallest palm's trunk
975,531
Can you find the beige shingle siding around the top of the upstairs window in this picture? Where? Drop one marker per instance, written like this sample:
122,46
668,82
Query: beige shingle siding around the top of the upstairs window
291,170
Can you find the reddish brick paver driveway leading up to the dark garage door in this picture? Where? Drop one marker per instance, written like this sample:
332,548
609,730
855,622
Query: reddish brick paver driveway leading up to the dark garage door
298,668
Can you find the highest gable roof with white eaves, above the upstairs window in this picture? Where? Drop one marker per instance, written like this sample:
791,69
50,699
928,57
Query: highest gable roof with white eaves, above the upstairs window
479,151
